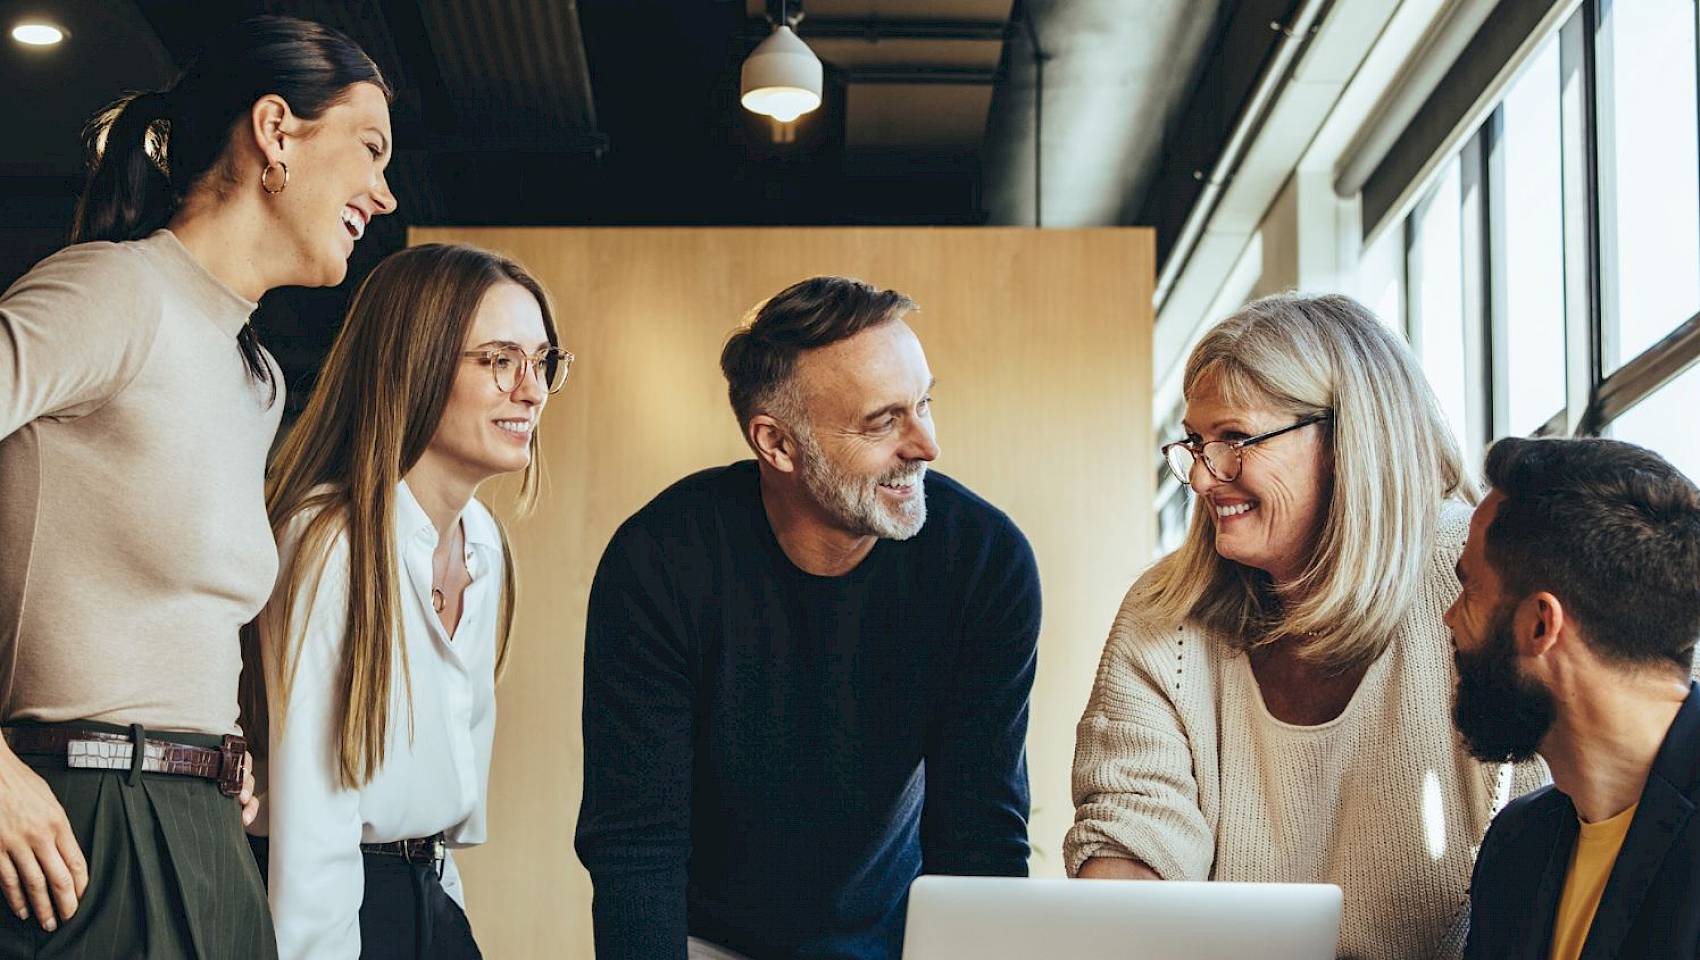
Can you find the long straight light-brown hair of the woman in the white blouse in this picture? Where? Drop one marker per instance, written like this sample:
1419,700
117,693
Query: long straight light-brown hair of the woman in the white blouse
373,412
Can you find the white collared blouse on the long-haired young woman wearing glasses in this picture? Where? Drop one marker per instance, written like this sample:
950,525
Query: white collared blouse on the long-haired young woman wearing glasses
434,782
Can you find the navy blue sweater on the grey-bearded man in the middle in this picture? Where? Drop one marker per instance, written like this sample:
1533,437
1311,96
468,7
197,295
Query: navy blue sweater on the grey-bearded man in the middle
773,757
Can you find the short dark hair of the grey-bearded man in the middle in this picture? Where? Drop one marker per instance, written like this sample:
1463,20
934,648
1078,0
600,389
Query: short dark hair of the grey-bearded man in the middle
761,358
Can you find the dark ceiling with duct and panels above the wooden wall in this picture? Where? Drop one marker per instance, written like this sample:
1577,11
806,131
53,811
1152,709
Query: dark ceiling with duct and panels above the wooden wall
626,111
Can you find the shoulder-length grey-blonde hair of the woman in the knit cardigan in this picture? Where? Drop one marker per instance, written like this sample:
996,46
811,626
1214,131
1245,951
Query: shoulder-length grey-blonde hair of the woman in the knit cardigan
1393,460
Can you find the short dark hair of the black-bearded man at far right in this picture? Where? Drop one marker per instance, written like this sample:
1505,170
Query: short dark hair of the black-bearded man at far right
1612,531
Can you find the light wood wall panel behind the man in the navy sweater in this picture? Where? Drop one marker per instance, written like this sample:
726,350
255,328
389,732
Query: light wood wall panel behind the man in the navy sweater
1041,342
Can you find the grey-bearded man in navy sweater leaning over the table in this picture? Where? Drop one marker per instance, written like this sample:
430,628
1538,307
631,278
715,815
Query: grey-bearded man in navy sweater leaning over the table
807,675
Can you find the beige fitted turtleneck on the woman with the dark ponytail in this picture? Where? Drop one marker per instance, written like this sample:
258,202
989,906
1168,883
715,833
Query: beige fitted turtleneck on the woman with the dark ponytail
133,533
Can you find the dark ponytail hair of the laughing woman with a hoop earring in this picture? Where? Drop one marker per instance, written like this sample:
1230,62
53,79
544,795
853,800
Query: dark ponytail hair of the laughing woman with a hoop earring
149,150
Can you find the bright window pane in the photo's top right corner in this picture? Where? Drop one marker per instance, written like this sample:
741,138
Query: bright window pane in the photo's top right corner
1650,172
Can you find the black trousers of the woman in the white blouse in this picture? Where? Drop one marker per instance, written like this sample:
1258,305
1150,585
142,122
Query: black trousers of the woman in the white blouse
405,913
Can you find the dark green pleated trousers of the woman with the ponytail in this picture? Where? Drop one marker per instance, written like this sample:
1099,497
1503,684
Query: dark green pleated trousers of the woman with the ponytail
169,876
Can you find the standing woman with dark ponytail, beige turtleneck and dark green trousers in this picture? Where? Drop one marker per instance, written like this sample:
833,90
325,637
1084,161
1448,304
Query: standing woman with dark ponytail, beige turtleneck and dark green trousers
137,409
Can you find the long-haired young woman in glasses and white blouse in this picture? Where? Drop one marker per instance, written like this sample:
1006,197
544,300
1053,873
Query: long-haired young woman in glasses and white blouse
390,623
